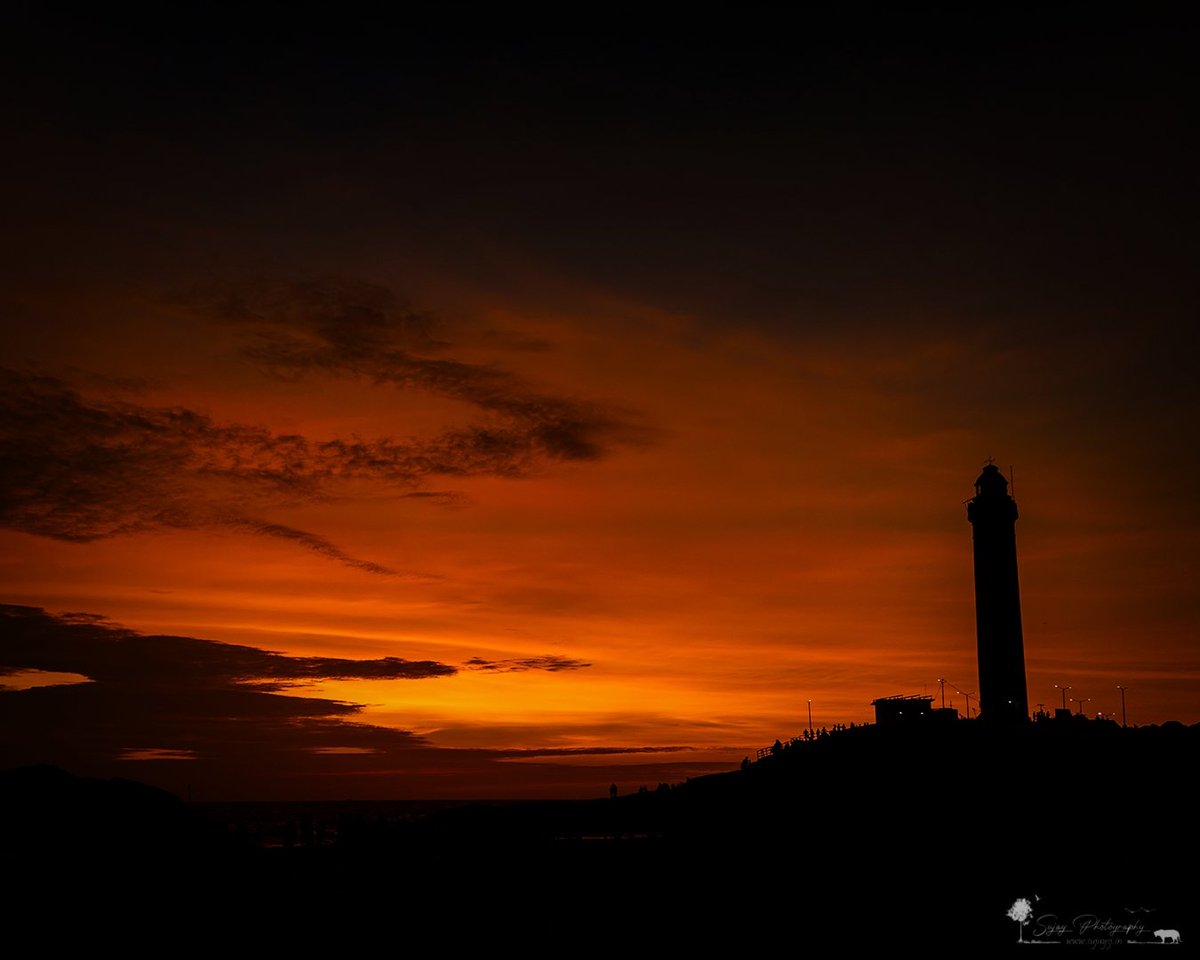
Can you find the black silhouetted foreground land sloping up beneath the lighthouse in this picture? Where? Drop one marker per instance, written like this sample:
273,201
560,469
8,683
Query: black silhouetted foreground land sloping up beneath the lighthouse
886,838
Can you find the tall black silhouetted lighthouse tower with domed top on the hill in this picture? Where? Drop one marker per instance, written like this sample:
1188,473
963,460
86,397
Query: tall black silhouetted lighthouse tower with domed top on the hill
993,514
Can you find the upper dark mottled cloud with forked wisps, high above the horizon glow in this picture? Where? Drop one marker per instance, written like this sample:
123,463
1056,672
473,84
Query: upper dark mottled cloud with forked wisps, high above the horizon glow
83,469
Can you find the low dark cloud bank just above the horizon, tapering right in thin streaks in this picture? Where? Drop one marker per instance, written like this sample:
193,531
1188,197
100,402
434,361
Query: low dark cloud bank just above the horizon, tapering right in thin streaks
184,713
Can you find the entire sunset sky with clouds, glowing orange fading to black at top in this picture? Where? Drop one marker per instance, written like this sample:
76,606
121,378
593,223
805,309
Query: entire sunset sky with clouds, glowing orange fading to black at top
500,410
